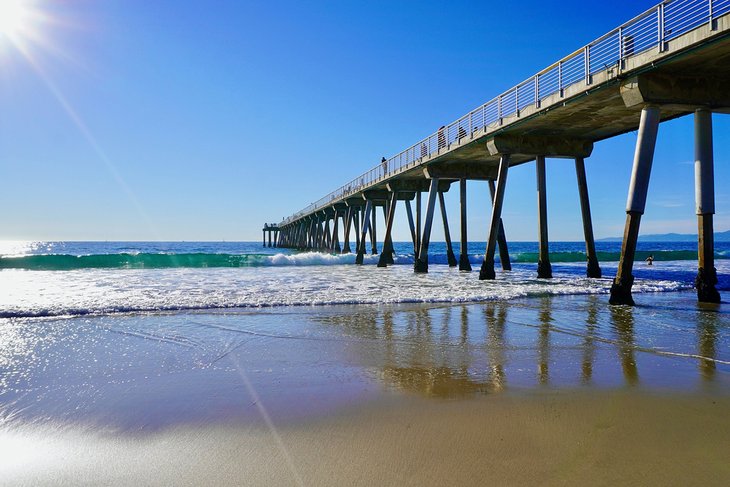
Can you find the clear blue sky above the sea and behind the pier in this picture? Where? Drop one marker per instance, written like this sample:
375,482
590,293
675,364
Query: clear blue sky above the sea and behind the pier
195,120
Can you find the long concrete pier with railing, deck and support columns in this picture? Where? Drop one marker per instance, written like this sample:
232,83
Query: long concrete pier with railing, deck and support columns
670,61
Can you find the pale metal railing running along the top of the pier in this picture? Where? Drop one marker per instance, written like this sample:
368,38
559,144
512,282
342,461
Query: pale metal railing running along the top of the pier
649,30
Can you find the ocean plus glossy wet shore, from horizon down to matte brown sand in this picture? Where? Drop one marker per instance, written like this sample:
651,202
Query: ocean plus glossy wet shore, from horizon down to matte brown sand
137,337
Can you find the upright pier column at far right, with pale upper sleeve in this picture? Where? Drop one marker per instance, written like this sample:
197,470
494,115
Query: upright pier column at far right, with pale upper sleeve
705,203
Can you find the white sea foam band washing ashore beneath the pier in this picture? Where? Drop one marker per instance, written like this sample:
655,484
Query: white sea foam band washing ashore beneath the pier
333,280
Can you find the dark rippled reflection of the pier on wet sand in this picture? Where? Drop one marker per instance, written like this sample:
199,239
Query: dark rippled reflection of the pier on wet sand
472,349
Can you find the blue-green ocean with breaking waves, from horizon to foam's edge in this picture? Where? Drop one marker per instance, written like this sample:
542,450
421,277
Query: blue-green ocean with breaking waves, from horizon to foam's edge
42,279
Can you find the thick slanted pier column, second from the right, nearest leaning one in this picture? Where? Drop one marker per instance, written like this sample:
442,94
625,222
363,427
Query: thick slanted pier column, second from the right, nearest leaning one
638,187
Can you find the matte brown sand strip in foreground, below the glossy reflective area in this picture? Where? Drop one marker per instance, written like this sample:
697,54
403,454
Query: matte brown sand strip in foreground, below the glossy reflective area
552,438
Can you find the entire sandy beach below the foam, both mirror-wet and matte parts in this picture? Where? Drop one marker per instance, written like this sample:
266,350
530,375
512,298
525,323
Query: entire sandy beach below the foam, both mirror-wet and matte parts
553,391
